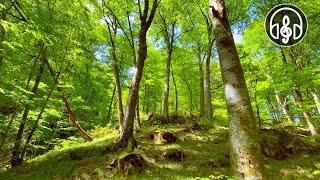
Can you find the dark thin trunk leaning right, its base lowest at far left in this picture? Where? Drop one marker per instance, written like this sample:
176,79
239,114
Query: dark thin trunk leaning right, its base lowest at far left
17,157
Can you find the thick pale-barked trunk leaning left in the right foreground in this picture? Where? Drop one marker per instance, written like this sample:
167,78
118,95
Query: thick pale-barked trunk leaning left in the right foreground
246,156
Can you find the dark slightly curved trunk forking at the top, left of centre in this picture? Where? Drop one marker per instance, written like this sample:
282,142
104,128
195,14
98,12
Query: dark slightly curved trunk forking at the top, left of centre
127,134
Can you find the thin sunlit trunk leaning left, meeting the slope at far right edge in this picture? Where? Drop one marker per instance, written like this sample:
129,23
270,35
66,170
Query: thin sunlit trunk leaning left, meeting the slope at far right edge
307,115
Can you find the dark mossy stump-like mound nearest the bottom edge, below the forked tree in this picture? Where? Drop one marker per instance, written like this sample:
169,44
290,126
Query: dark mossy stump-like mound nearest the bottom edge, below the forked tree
132,163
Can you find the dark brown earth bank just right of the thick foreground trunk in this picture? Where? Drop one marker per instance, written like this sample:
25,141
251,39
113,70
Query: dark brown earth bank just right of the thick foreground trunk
280,144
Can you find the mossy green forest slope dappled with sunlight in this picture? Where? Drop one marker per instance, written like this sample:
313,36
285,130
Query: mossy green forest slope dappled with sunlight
205,156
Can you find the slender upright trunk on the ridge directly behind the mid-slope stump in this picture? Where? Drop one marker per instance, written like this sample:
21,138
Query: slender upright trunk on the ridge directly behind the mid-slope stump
165,103
